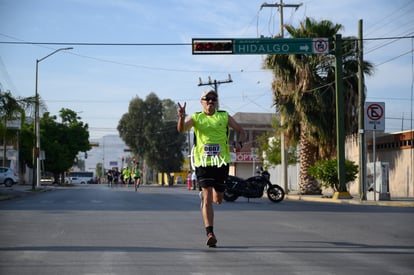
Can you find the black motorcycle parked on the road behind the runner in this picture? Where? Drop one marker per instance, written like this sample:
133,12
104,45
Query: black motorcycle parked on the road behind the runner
253,187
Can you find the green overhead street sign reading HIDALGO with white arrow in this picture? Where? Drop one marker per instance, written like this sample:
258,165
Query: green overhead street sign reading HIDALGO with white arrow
281,46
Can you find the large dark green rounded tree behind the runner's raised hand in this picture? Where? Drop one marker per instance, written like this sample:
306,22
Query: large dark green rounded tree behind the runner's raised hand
149,130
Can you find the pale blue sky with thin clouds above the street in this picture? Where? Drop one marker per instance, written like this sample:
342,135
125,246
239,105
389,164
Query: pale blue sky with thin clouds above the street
99,81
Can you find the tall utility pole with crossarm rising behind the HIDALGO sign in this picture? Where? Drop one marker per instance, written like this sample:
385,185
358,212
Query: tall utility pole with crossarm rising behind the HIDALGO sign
283,164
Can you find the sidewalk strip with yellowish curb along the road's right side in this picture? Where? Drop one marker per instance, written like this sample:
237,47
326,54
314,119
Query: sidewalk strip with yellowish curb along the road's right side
397,202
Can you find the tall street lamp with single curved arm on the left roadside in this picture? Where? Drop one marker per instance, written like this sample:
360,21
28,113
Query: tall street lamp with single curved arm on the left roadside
37,118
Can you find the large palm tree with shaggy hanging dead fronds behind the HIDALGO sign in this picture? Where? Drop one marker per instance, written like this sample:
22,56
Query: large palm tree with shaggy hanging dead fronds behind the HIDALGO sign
304,95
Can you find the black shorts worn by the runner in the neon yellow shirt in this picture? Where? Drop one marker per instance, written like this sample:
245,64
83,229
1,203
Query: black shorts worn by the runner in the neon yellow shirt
212,176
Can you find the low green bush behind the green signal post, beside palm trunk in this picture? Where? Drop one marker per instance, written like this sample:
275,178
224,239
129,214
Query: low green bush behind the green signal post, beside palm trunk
326,171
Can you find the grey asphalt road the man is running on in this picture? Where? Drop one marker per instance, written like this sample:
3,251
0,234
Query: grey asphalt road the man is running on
93,229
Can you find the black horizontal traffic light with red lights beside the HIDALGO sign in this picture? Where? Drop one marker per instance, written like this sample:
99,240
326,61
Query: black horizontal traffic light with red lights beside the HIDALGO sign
212,46
